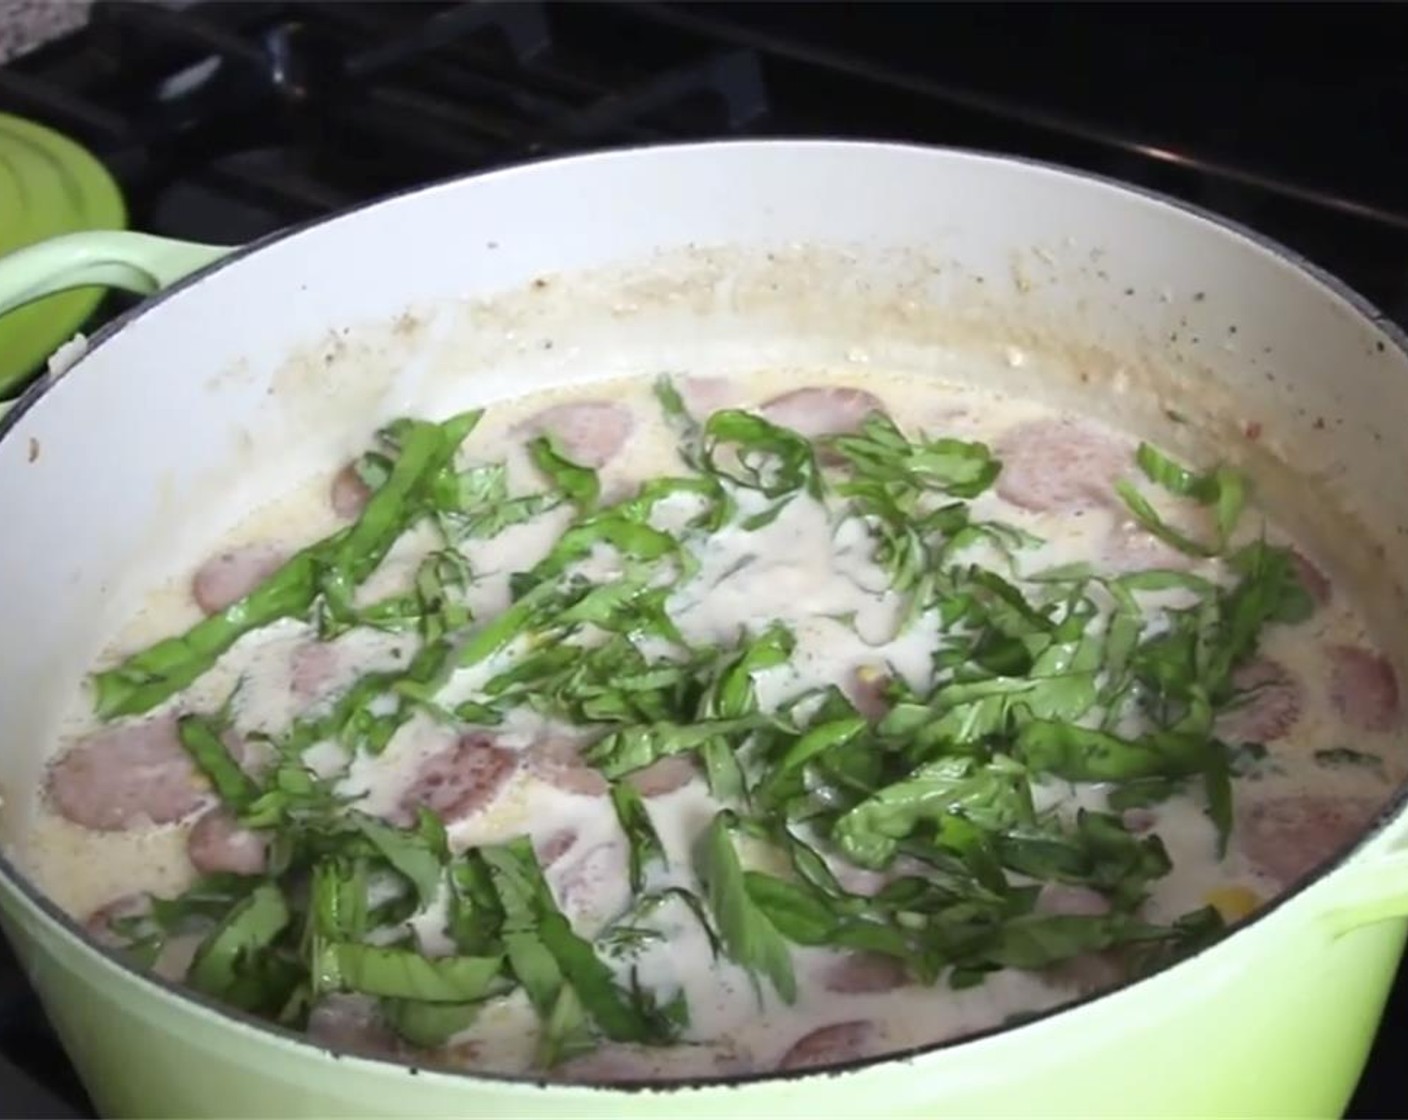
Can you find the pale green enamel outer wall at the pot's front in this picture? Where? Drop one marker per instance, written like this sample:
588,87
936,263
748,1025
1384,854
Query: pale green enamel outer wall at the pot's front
1274,1022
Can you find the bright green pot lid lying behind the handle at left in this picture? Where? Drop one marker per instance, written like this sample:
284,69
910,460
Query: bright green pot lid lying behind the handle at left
49,187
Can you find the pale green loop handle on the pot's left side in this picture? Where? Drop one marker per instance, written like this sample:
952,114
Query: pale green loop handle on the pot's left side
134,263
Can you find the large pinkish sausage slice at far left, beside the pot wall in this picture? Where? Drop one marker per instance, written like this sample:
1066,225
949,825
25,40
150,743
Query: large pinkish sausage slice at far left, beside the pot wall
127,778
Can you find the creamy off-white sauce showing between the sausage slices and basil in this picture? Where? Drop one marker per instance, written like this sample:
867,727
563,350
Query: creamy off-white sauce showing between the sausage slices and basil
805,570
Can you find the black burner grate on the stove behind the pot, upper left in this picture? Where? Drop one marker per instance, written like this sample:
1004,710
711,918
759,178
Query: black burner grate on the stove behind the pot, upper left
282,112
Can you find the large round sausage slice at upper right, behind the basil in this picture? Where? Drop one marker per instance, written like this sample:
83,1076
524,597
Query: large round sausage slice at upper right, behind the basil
1058,464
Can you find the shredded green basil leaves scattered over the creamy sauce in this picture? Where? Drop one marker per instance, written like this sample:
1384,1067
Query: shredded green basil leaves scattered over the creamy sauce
1037,678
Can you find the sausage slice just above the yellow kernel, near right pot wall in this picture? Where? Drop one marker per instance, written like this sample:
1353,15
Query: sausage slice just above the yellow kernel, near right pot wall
1288,838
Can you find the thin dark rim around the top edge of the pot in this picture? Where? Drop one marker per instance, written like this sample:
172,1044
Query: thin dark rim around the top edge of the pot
32,894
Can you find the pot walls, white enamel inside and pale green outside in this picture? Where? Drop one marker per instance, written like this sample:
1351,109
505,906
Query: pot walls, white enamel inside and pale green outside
277,364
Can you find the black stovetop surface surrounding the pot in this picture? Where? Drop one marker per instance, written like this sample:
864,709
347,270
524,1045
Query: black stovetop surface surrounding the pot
226,122
